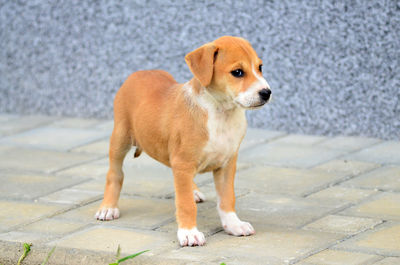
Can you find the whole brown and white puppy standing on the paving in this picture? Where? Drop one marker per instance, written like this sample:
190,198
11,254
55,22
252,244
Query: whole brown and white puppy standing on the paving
193,128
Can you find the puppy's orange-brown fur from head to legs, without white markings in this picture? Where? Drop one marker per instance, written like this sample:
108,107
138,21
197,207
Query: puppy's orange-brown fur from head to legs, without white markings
155,113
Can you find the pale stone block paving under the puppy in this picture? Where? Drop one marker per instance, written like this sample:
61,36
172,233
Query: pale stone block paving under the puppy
311,199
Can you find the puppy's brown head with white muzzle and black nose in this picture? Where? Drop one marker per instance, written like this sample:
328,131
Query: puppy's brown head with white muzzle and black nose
231,70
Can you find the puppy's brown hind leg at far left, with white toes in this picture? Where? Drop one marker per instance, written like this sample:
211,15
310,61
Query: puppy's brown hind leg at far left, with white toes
120,144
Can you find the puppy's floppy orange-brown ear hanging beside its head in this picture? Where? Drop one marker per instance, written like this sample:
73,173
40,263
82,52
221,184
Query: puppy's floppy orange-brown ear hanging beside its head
201,62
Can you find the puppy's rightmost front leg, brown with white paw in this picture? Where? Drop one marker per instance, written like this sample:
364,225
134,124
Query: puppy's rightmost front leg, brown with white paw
224,185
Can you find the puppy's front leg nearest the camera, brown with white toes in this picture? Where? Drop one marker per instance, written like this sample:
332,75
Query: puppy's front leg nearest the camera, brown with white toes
186,210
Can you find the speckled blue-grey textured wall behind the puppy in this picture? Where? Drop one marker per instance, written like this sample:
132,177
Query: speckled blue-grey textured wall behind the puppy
333,65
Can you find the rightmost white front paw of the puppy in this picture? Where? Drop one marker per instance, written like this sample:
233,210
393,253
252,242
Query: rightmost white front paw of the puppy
233,226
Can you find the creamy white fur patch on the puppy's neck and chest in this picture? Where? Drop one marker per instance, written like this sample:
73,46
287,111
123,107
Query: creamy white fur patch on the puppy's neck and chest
226,128
